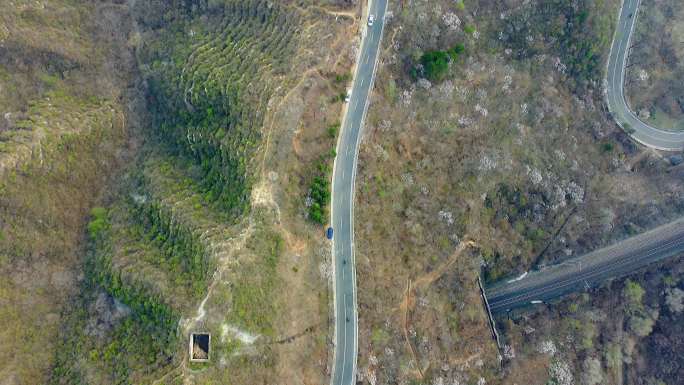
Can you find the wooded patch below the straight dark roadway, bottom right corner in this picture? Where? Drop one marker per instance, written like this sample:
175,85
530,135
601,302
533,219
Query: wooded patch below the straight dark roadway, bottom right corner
627,332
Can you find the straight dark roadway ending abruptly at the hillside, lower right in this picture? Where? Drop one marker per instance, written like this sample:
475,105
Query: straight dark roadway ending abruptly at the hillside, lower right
589,270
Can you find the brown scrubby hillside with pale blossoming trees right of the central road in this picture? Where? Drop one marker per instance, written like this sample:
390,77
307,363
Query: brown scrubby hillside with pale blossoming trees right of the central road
505,162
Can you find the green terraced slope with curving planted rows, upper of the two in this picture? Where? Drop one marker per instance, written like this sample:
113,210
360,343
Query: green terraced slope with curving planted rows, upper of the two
210,86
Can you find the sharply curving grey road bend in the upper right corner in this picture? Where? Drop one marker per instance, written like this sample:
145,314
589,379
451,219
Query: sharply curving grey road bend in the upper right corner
617,61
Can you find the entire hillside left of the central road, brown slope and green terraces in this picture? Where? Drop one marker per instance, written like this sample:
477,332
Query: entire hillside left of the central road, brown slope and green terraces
207,104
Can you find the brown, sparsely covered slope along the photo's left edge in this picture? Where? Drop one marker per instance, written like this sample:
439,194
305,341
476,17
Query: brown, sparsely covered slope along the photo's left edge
65,70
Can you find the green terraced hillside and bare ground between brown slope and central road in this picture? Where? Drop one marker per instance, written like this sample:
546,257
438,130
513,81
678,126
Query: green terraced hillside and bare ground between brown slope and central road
192,240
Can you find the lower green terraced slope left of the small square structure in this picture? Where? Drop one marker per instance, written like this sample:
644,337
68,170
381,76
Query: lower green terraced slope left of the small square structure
150,263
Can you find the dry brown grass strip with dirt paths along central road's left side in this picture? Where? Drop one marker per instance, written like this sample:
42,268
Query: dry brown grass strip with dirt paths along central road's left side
295,135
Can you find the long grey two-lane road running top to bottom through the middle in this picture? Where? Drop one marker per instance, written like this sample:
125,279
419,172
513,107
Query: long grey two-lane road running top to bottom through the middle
342,212
